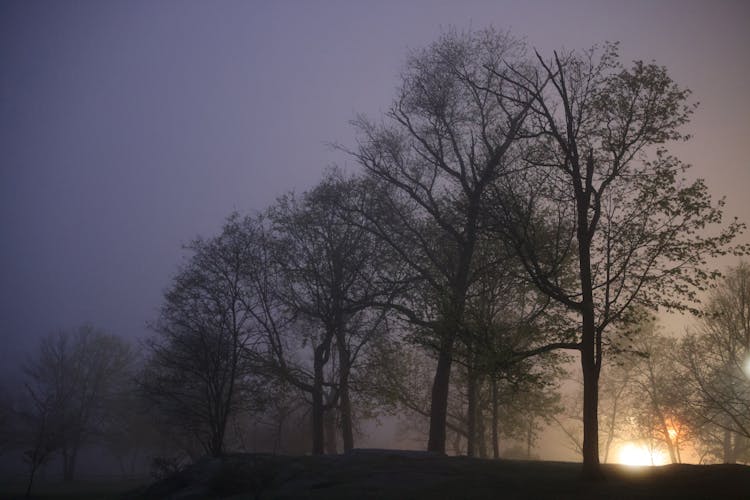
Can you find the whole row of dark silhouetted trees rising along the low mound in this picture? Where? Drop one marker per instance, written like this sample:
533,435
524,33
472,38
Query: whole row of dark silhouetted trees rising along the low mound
507,209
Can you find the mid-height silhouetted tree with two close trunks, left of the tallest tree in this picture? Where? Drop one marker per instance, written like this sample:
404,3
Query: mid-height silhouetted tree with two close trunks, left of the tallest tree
329,280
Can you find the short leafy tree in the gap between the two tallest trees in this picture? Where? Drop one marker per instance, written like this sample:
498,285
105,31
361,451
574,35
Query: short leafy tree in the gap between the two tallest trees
505,350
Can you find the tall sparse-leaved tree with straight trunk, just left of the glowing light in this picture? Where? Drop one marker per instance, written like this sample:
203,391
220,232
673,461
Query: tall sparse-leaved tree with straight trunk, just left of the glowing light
616,209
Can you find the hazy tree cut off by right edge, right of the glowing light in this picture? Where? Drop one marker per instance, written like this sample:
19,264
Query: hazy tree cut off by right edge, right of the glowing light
715,362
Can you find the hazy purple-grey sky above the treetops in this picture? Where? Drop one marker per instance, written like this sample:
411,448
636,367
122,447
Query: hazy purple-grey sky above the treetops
127,128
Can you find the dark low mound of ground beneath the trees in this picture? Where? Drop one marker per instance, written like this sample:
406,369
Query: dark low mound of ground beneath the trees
381,474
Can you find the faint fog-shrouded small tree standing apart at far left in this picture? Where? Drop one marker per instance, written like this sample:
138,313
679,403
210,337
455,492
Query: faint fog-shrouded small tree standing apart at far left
71,379
